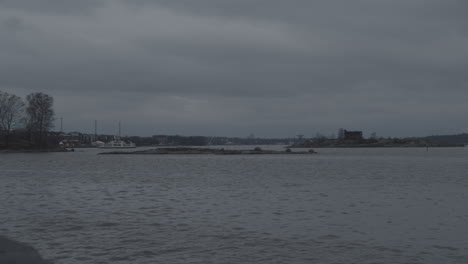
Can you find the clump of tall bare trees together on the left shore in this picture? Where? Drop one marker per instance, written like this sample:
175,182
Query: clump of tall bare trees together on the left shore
25,122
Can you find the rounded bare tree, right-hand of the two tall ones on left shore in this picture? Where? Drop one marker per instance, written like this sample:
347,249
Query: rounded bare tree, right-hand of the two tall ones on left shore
40,115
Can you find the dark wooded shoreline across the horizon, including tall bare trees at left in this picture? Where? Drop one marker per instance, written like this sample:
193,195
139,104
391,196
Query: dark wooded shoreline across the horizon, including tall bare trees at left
26,124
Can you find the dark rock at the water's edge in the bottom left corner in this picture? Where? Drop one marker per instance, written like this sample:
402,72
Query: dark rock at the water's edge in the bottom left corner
12,252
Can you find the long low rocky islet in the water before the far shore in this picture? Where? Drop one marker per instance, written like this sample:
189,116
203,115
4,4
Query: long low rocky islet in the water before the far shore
198,151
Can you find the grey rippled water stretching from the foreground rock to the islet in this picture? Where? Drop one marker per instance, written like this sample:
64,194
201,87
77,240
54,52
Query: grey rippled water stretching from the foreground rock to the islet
341,206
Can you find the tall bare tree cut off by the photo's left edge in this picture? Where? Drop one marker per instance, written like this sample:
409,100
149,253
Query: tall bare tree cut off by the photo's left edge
11,113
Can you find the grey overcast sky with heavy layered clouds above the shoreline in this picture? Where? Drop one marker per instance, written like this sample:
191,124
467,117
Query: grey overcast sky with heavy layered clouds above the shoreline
274,68
